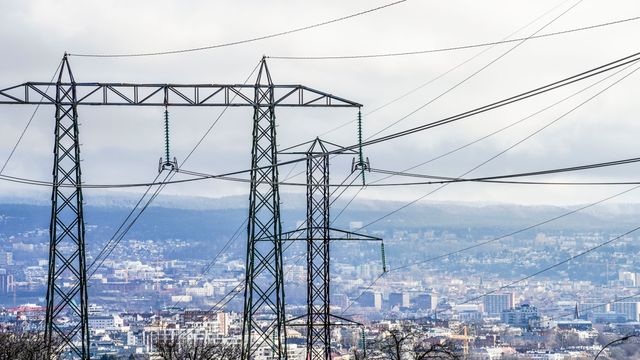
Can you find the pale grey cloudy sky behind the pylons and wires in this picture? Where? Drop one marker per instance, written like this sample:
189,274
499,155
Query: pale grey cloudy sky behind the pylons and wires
123,145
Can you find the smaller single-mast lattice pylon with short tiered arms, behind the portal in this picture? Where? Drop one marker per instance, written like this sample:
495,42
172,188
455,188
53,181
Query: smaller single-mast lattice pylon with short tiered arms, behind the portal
318,235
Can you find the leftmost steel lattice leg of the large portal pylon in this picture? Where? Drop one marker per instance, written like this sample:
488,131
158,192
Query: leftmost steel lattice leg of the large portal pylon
67,247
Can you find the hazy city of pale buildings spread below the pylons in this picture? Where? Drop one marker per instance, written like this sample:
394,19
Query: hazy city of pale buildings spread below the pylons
152,289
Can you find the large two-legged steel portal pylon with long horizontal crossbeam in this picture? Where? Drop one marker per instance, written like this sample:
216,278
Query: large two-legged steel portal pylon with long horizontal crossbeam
264,294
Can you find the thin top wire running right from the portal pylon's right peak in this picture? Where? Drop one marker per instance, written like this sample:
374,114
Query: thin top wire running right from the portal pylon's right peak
455,48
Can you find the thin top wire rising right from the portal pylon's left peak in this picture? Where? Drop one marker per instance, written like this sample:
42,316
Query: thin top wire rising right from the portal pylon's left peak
264,37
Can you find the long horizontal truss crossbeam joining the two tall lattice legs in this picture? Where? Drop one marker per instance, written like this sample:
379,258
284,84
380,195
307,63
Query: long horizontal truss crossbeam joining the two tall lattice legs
133,94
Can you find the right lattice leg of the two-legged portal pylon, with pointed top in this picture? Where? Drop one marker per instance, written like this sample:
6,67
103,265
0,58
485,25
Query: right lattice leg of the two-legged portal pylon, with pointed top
264,321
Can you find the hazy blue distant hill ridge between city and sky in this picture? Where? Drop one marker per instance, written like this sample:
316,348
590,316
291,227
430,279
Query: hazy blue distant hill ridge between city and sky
422,215
